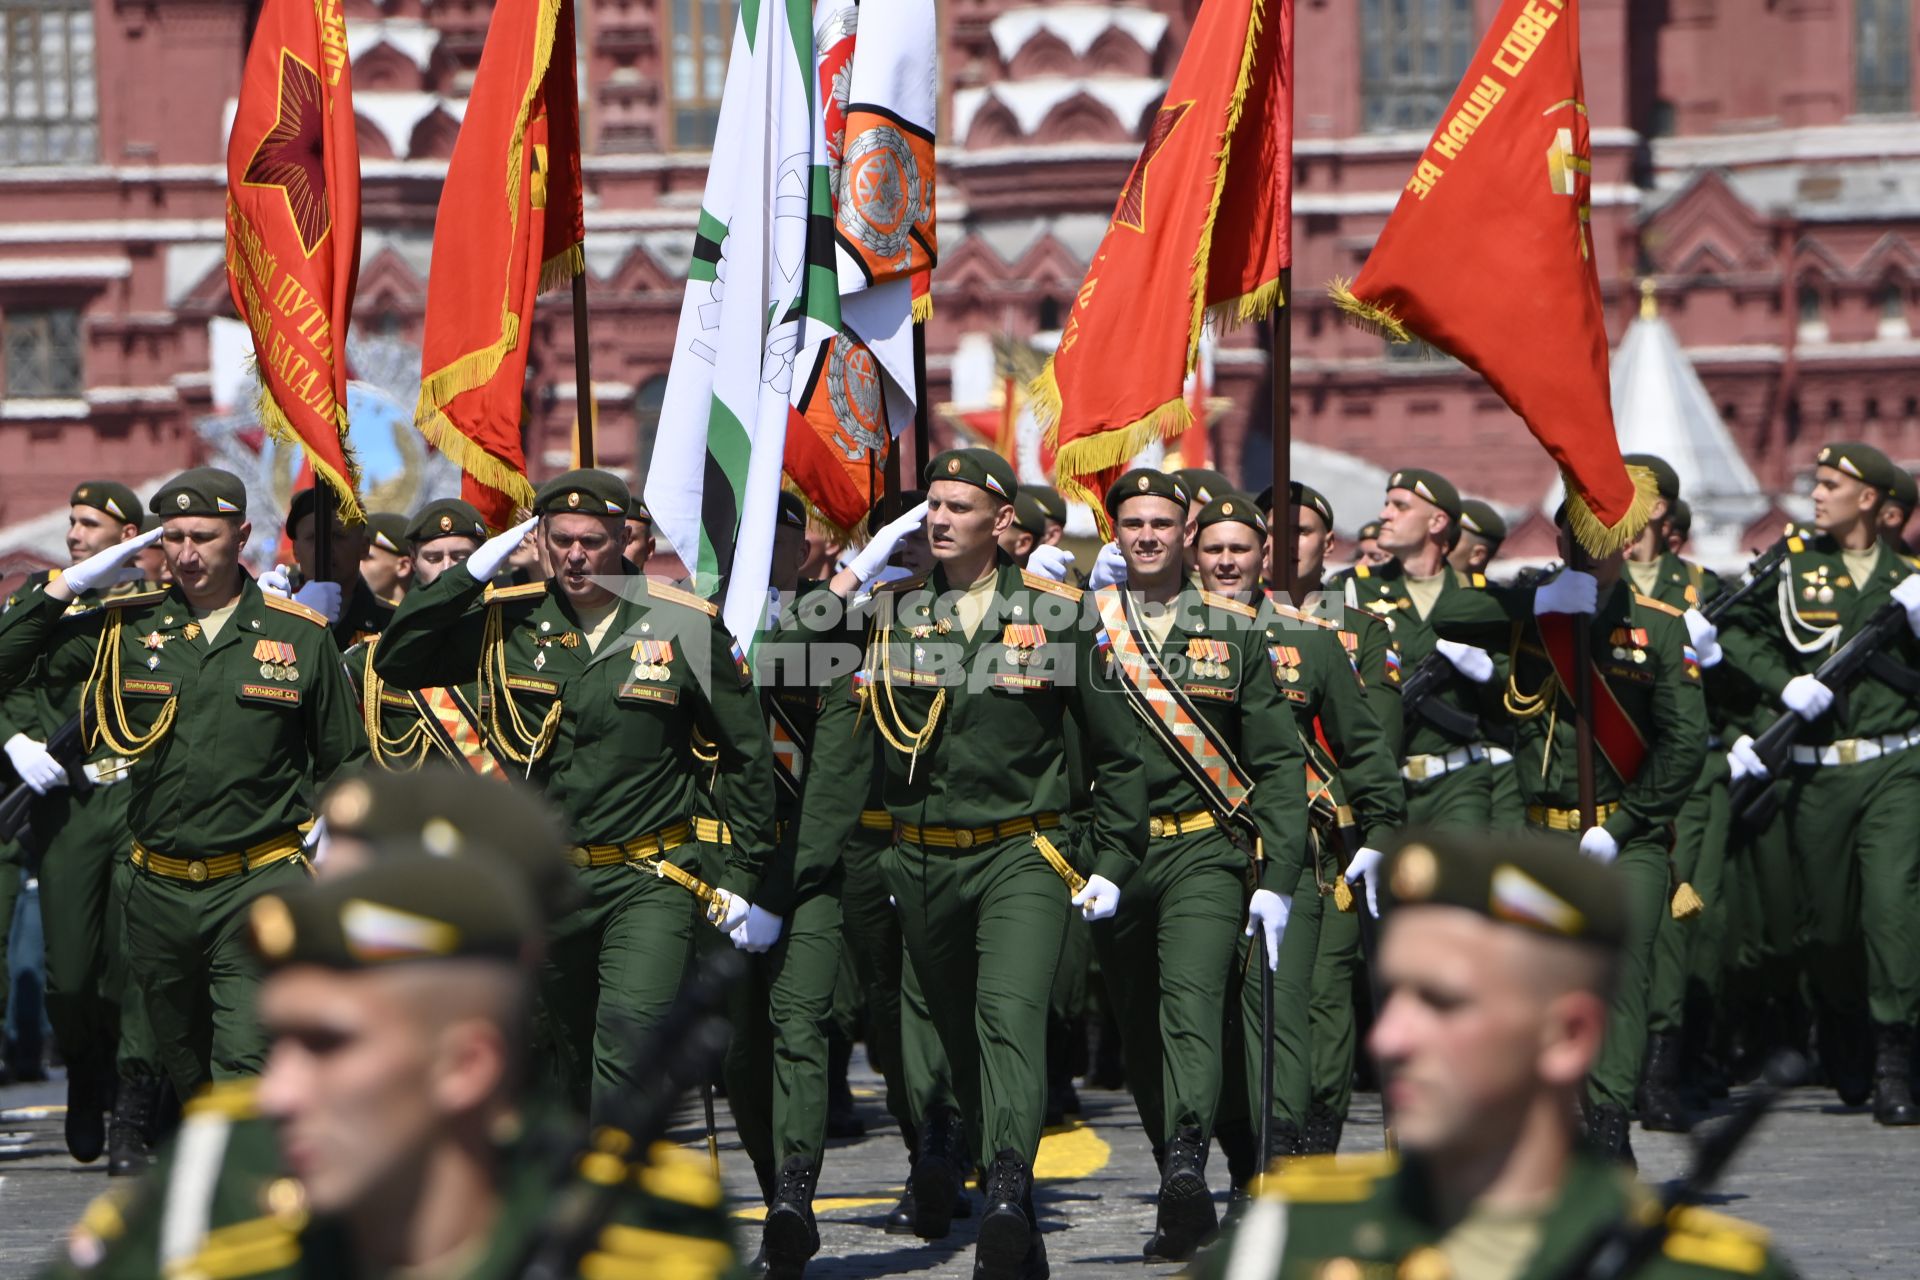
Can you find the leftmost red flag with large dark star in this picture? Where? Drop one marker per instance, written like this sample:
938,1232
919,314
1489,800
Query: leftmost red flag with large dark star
293,229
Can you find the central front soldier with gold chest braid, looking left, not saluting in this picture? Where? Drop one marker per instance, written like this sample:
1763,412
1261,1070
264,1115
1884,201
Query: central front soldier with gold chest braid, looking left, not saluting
974,676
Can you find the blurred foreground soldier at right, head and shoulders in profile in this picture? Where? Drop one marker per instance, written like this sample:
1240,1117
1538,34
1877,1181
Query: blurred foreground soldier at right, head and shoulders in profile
1497,960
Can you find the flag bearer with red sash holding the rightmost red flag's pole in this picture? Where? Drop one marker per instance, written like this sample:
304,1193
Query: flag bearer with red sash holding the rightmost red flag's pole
1650,740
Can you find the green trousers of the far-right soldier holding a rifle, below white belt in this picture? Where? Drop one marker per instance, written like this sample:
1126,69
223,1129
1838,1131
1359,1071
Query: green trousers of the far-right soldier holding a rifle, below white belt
1856,840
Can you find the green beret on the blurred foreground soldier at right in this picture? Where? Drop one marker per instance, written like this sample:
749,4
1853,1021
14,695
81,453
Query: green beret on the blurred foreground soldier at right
1522,878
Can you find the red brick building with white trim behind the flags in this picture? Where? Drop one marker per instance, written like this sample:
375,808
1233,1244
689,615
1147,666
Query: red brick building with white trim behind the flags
1758,160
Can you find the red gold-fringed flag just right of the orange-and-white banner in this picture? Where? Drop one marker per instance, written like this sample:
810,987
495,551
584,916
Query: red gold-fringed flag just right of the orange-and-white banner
1201,227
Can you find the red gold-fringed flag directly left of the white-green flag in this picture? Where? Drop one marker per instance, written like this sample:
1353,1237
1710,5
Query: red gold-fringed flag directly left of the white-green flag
510,225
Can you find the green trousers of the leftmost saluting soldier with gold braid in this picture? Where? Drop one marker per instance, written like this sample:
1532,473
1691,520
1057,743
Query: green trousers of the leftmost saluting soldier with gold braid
199,972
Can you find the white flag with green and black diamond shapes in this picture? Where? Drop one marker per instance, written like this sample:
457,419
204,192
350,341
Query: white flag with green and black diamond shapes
713,483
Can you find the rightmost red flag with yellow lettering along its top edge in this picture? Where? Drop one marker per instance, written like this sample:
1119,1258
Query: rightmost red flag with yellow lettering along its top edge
1489,258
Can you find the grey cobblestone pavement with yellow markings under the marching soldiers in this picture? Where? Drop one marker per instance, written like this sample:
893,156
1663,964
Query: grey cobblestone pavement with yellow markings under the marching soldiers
1838,1191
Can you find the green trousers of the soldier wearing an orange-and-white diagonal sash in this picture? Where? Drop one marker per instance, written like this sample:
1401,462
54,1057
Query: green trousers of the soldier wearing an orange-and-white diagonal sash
1168,959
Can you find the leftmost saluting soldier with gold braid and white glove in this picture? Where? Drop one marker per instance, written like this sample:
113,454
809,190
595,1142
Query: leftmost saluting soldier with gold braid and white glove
237,709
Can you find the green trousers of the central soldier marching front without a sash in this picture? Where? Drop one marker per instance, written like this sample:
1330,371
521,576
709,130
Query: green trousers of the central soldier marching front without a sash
990,922
